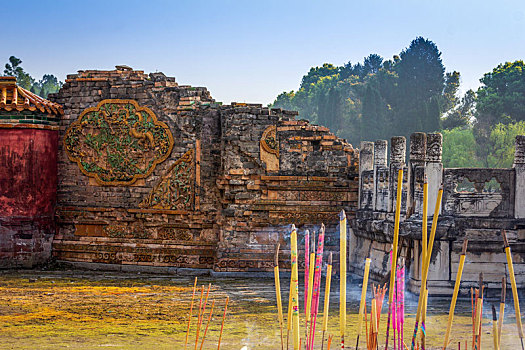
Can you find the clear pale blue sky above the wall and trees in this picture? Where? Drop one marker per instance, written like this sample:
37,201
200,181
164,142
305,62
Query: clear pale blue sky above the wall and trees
250,51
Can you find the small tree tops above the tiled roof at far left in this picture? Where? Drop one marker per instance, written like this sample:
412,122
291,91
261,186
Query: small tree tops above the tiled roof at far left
48,84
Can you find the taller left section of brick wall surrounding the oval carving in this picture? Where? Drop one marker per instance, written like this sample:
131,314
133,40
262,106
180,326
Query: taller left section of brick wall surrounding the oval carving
110,223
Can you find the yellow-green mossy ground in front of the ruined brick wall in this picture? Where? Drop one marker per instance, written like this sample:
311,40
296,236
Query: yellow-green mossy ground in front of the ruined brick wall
51,310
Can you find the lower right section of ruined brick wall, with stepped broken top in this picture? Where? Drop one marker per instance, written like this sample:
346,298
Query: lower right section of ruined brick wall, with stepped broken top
314,178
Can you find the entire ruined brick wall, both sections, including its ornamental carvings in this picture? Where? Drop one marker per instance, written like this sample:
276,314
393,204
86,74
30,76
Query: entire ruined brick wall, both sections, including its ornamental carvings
248,171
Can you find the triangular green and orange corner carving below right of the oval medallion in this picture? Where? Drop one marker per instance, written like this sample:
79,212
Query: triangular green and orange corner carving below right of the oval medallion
175,190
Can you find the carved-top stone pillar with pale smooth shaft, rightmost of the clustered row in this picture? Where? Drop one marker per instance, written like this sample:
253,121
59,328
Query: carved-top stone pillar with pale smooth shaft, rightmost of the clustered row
434,169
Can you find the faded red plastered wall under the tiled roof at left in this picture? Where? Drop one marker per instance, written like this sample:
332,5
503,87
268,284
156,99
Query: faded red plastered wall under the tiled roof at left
28,182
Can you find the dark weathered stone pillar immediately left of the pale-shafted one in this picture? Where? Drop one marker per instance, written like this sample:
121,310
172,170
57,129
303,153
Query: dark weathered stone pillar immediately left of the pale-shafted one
416,169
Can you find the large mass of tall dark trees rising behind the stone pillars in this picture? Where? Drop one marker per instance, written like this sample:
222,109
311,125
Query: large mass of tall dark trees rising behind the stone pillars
377,98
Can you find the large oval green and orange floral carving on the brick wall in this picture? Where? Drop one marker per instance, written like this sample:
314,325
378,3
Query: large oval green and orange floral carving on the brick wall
118,142
